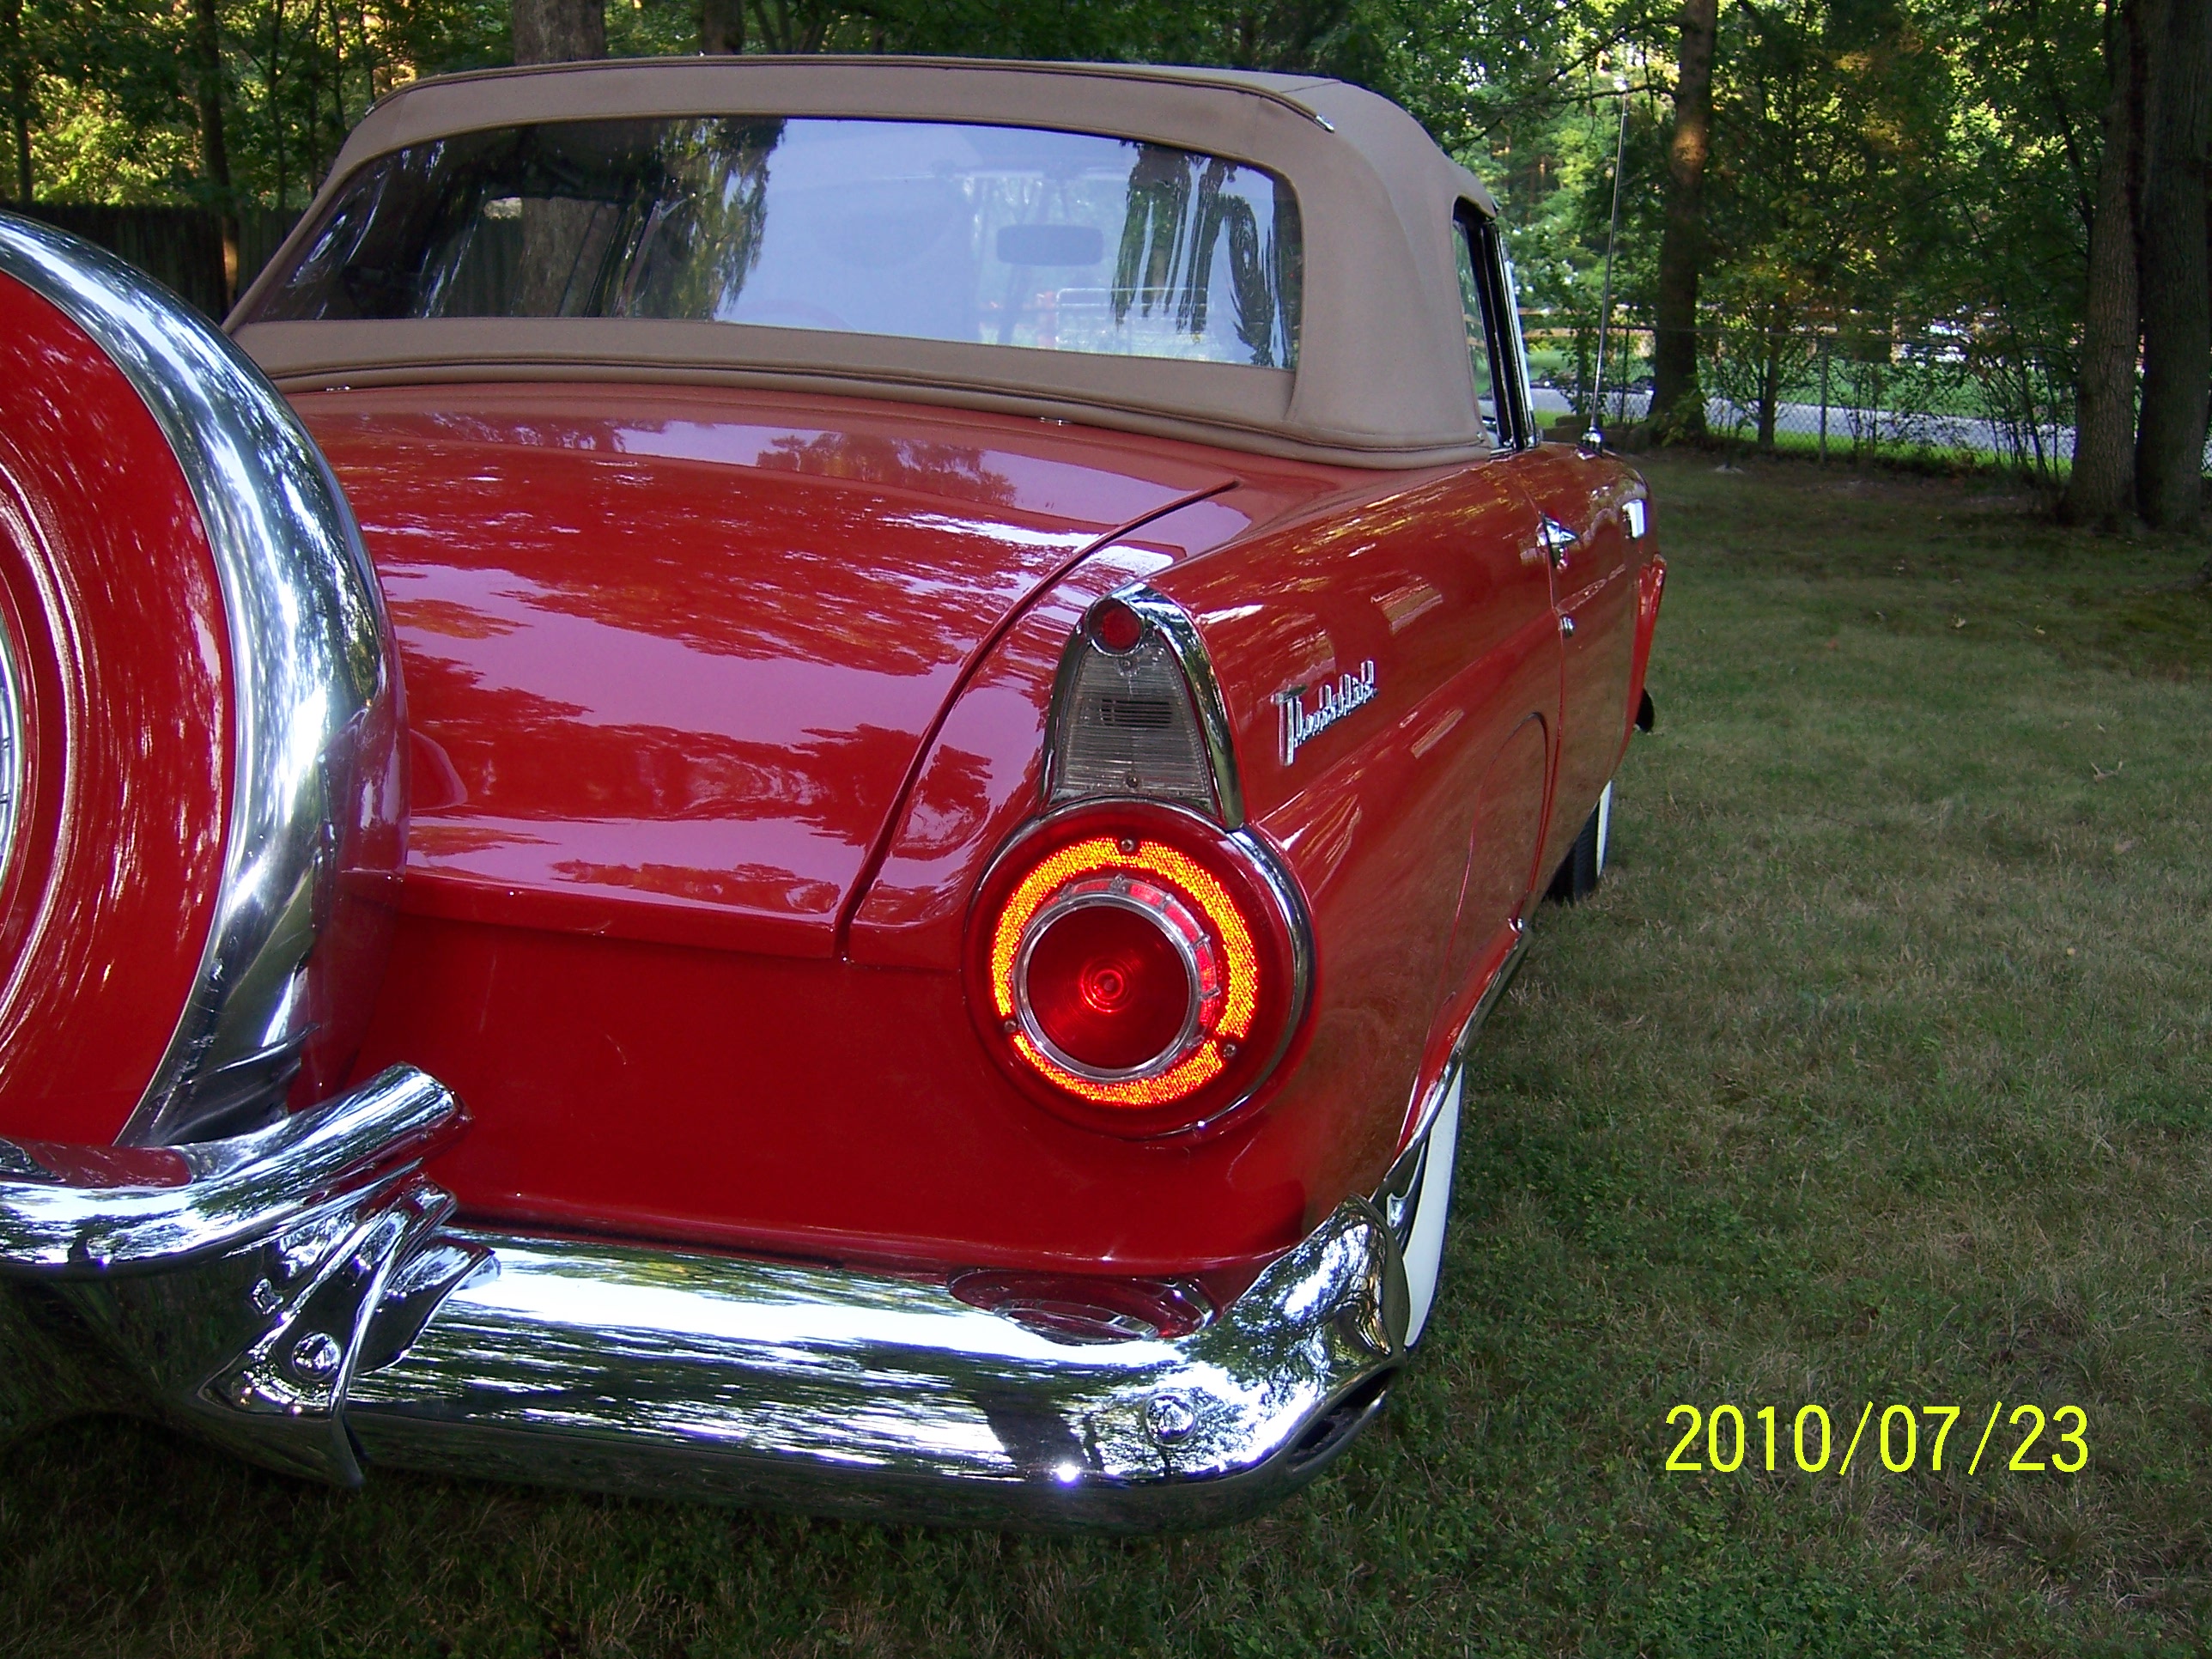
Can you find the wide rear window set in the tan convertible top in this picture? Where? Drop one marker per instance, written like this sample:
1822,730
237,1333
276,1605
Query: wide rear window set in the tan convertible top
990,236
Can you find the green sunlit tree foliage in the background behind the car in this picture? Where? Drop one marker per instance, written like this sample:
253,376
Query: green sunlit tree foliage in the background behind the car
1879,167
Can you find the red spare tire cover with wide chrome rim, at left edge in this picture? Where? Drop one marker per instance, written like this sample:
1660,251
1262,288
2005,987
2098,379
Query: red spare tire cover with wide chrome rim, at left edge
202,813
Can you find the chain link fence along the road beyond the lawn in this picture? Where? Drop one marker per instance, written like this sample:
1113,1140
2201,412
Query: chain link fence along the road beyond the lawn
1959,397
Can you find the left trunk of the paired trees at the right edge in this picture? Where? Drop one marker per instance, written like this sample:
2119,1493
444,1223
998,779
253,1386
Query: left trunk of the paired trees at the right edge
2103,486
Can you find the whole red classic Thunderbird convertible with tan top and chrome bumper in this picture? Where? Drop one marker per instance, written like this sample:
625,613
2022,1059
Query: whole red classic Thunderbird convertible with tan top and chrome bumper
786,782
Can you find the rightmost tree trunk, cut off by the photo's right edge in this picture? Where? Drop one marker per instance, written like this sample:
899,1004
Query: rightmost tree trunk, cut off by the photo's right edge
2178,313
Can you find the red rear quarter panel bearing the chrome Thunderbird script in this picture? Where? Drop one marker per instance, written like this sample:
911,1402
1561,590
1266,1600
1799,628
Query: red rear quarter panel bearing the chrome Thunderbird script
1439,594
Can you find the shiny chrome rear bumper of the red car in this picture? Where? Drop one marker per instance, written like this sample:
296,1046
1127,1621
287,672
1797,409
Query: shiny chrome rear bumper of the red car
302,1297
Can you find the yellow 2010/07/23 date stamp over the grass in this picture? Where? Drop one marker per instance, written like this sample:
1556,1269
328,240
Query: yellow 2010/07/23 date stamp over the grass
1726,1441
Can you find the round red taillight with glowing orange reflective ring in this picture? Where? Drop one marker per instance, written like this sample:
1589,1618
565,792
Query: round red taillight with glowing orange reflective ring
1138,968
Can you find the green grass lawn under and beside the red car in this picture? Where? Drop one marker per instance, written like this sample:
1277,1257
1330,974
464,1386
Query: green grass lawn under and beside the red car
1879,1072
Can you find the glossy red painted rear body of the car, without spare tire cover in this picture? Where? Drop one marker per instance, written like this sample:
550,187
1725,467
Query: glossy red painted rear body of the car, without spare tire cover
689,846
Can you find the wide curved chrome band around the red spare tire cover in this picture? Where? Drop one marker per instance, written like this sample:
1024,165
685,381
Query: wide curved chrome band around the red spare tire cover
315,784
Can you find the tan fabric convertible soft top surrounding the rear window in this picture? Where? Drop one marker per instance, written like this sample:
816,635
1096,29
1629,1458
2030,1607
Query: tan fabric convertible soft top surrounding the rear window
1381,382
